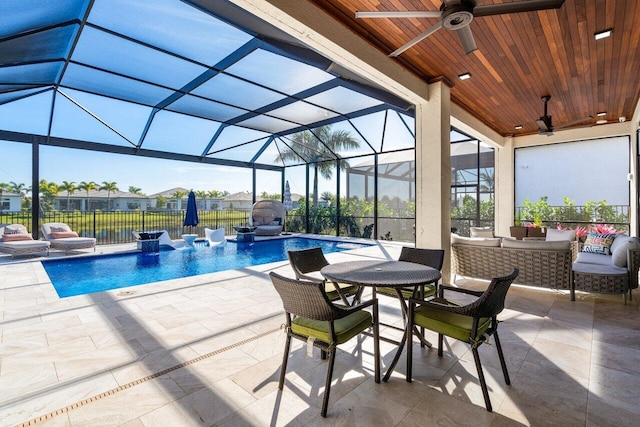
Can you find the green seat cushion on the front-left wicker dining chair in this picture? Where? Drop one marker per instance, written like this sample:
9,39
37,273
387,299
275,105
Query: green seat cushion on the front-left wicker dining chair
346,328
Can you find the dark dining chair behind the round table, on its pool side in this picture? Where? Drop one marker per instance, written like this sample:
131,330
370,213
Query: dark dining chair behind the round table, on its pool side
306,261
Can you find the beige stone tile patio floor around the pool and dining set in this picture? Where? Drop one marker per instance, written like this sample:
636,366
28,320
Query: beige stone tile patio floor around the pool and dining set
206,350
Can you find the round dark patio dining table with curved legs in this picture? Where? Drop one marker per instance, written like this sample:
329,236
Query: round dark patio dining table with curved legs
390,274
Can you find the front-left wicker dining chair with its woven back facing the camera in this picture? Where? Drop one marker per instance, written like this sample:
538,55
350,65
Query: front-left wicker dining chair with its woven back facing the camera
311,317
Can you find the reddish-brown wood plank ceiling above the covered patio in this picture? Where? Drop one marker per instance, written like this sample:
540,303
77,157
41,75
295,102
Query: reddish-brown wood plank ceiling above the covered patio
520,58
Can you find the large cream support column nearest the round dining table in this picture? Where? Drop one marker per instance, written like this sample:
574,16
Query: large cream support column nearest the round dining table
433,172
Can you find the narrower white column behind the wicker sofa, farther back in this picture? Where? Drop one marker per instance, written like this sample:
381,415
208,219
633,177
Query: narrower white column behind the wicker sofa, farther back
504,187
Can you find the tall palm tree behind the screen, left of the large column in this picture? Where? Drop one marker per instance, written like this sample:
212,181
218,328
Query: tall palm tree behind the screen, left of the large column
315,146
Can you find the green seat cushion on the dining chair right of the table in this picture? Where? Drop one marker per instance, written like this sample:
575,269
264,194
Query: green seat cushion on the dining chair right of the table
446,323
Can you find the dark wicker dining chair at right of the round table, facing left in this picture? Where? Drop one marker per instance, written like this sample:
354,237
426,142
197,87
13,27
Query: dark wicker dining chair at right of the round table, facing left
473,323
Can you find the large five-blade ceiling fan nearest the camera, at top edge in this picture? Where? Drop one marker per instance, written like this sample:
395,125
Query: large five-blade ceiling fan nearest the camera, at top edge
456,15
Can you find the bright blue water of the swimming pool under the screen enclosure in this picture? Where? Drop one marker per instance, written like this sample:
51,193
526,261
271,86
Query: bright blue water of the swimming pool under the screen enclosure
86,275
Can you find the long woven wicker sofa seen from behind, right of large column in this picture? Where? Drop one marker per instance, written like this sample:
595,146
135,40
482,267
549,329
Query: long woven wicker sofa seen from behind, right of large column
542,264
